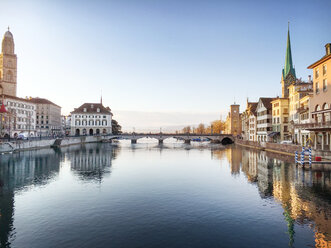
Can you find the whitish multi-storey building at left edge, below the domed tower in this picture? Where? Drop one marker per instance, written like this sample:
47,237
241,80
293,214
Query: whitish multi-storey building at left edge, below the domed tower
19,118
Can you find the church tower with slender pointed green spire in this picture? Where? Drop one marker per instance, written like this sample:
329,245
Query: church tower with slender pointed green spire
288,73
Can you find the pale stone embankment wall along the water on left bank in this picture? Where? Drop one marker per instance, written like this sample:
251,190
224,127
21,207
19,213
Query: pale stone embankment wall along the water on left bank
22,145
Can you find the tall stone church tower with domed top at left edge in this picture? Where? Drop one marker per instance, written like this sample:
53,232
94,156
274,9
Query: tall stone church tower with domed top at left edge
8,66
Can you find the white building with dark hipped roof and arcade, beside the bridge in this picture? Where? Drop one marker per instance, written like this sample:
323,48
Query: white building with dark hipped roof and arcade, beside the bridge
90,119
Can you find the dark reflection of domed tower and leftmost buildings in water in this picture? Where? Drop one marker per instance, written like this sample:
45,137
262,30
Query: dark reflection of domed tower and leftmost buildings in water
17,172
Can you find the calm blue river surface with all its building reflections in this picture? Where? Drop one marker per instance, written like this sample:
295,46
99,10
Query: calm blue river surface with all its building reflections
99,195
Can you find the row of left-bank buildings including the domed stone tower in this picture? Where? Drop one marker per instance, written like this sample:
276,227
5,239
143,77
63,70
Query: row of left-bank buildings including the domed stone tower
34,116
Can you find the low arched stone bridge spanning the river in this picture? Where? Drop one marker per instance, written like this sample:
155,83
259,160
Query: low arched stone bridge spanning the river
224,139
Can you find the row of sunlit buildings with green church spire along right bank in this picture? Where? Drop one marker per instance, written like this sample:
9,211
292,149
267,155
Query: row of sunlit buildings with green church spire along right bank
302,115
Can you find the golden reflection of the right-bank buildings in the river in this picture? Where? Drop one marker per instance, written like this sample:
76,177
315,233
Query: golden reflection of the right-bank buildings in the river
304,195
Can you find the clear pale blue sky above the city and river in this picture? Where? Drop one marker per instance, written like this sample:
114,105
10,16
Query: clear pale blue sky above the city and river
154,59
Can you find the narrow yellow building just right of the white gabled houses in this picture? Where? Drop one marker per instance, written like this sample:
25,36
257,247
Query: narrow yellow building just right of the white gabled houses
280,123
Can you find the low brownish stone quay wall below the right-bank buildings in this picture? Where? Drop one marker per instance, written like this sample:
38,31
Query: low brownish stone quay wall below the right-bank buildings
286,149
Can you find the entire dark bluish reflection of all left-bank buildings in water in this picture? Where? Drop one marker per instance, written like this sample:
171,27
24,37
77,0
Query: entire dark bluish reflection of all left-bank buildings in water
19,171
